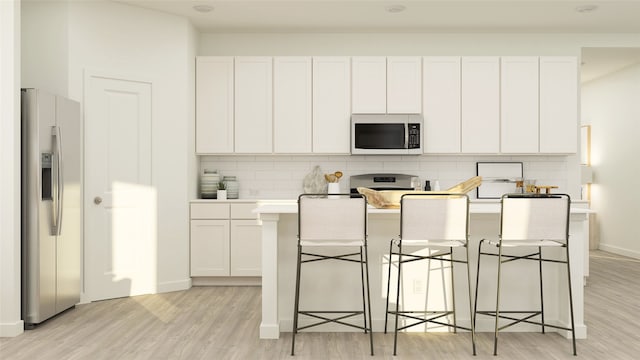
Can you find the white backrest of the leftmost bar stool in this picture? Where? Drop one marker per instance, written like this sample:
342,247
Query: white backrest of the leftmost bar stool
338,217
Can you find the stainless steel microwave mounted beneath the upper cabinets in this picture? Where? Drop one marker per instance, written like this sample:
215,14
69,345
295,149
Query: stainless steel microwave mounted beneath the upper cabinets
386,134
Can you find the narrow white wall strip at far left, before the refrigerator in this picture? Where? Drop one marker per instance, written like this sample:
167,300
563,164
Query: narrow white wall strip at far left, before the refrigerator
10,323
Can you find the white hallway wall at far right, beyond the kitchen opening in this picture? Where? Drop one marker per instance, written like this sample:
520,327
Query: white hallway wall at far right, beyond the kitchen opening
610,105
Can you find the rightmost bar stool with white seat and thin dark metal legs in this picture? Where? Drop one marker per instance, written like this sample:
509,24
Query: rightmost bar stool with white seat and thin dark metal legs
529,221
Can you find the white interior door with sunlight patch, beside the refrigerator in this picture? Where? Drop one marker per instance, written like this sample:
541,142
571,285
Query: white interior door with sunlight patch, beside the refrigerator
120,203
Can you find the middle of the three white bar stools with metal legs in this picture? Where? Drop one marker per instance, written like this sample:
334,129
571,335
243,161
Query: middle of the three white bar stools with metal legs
437,222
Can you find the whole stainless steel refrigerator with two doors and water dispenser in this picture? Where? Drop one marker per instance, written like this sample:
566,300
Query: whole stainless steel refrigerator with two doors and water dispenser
51,205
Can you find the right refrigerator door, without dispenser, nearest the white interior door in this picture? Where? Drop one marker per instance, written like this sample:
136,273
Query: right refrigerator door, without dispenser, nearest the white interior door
69,239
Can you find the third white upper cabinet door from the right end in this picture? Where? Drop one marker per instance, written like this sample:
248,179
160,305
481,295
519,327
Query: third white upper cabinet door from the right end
480,105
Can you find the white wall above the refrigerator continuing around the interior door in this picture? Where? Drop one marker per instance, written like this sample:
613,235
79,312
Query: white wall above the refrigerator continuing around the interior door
130,41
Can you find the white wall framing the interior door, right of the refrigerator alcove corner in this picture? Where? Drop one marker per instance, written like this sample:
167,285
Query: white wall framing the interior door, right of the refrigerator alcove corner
121,39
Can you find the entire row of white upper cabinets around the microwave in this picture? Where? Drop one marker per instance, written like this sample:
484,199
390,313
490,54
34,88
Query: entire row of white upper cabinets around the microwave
470,105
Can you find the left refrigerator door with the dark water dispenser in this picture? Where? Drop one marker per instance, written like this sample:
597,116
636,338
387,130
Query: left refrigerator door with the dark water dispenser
38,238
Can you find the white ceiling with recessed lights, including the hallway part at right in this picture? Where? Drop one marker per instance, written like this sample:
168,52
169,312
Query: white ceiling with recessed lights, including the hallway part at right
451,16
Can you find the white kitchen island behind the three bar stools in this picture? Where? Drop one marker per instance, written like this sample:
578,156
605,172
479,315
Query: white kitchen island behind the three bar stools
318,285
